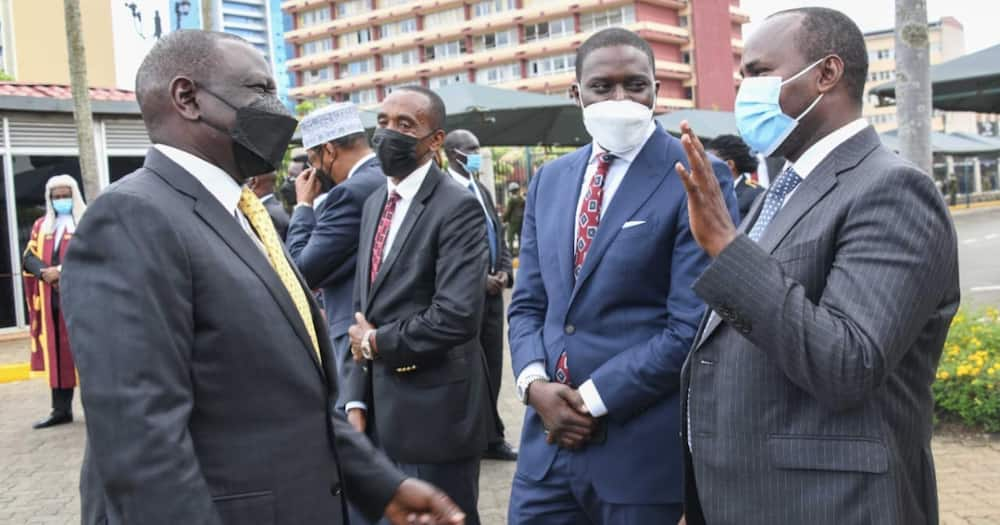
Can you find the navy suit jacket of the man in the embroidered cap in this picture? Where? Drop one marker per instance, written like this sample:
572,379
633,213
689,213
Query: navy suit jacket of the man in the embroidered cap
324,242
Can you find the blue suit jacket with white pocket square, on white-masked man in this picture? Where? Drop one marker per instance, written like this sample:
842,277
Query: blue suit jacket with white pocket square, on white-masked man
627,322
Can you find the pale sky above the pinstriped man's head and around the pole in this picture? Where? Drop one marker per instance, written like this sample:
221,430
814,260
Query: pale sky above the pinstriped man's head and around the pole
979,17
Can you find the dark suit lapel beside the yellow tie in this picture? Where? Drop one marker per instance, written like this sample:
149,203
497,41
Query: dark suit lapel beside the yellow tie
225,226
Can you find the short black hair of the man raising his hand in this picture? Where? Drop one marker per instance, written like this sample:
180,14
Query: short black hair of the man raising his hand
827,32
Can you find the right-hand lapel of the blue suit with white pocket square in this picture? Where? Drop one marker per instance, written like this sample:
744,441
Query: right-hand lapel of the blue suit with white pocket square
644,176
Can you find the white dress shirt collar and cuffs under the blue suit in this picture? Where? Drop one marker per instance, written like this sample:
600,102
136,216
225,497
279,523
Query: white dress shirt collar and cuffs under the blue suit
612,181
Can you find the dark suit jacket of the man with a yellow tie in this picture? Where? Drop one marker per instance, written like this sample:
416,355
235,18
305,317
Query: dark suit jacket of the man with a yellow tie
205,400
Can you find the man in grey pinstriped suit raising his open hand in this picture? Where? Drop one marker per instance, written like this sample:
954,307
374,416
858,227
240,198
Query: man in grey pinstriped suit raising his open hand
808,390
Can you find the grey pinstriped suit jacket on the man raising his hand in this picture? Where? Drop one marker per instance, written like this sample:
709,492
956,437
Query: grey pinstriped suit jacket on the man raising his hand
810,400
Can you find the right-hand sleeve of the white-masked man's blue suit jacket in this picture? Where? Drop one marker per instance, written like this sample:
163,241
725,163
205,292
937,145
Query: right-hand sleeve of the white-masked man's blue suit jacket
644,374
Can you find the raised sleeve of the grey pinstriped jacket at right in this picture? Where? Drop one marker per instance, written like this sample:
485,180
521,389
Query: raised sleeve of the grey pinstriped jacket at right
896,257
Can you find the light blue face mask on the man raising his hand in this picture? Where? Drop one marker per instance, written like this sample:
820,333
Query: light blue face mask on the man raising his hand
759,118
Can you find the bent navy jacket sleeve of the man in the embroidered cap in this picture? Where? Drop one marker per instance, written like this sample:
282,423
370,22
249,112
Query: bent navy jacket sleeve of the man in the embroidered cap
322,245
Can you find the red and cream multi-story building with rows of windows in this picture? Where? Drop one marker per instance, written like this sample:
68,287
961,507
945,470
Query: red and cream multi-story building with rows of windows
360,50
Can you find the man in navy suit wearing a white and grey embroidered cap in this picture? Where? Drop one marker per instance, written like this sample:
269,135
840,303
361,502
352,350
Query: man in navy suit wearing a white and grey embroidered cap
323,242
